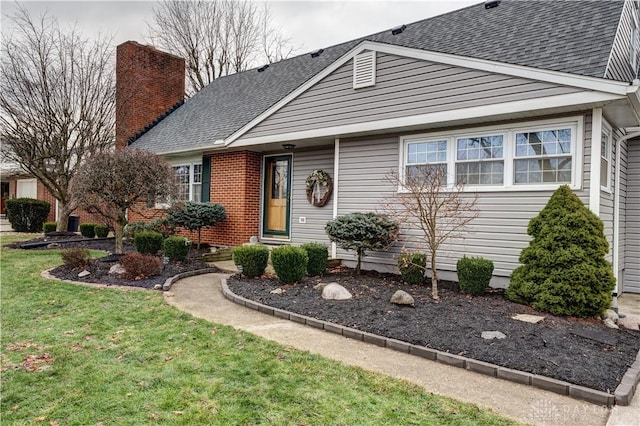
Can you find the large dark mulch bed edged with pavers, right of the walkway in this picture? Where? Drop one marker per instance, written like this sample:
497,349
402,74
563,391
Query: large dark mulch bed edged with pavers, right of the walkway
580,351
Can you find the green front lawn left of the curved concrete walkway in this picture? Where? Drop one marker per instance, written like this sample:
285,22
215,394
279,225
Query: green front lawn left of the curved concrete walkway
80,355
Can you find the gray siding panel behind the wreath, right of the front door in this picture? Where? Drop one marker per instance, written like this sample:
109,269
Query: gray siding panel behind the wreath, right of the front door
316,217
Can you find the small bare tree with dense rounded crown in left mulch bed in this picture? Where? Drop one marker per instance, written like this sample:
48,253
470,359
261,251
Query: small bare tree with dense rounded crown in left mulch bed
124,180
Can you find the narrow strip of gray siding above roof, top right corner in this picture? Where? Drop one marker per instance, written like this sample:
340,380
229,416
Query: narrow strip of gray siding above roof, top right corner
619,66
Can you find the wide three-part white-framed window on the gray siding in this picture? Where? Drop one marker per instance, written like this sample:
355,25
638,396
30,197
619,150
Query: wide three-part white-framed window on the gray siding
529,156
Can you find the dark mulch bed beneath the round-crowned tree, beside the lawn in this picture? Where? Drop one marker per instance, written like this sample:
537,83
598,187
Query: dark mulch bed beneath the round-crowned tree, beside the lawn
99,268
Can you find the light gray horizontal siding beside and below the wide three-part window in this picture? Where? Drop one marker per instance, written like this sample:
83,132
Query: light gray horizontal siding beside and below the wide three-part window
498,233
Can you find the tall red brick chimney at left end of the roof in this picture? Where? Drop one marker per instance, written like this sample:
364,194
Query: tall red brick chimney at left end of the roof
148,83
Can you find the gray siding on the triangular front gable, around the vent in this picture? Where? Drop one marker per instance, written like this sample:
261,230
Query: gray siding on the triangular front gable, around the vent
404,87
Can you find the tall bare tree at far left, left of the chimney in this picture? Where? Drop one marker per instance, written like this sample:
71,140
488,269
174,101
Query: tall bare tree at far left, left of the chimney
57,102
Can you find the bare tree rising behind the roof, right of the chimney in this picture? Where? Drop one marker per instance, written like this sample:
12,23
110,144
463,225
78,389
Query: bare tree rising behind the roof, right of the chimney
216,37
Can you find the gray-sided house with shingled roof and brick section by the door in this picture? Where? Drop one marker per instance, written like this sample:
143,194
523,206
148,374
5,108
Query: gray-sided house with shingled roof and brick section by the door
550,86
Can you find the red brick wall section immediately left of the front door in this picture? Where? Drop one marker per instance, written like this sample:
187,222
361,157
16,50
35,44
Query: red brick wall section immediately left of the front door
235,183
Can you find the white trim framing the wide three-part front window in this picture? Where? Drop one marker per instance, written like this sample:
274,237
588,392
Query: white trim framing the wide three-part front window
576,123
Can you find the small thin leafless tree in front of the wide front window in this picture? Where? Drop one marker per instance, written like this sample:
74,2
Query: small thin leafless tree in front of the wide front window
439,211
